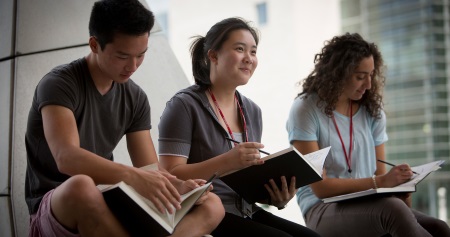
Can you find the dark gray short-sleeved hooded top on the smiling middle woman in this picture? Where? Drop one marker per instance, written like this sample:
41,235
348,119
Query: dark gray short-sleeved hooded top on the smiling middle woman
190,128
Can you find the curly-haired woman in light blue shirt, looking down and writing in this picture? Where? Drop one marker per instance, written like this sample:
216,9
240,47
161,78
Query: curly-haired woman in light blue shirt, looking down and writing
341,106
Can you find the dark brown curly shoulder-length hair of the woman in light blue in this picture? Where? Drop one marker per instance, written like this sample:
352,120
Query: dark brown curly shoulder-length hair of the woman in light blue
335,64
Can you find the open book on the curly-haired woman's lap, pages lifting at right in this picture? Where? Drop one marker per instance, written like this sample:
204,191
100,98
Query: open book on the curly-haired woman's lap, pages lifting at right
410,186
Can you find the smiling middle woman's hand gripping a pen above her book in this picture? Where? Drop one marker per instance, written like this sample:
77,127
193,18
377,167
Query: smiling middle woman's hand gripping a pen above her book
244,154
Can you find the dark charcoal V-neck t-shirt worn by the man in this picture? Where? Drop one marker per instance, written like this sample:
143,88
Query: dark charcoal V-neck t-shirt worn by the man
102,120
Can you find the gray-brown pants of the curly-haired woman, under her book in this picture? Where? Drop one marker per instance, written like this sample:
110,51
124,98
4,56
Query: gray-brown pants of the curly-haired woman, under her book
373,217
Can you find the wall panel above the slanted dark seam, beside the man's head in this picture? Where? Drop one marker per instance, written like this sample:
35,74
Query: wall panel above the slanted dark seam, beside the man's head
52,24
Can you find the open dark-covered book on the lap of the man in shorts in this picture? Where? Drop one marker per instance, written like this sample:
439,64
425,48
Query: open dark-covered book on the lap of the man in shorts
140,216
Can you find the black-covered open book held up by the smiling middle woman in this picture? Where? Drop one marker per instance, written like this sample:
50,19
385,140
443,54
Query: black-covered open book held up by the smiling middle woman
249,182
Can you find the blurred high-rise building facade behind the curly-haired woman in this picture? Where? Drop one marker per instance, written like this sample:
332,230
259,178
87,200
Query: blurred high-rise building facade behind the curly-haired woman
414,38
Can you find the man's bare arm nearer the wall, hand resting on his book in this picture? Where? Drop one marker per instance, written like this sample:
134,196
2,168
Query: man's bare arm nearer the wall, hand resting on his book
61,133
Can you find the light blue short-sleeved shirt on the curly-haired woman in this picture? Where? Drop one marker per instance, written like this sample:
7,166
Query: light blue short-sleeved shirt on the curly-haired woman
307,122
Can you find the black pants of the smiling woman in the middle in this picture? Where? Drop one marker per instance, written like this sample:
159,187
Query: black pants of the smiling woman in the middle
262,224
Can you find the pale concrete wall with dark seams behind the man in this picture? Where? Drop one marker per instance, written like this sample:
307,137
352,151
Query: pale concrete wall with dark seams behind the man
37,36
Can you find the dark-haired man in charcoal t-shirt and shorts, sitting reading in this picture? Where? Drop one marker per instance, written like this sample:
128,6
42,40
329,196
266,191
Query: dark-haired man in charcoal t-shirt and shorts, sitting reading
79,113
